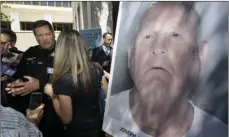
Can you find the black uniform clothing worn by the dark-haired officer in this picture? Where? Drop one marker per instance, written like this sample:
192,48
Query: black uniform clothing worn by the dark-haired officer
35,63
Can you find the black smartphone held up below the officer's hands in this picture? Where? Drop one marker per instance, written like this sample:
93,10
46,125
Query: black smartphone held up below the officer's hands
35,100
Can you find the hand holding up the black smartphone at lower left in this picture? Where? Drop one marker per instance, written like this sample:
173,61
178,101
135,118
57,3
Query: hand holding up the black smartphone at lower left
35,115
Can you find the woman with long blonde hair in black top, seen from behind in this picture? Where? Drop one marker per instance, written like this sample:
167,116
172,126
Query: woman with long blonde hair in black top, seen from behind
75,87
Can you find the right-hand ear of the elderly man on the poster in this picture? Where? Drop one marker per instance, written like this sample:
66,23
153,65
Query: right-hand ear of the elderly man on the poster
203,50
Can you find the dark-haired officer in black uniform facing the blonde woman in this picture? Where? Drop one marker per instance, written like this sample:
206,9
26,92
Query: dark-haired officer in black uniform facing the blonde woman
33,73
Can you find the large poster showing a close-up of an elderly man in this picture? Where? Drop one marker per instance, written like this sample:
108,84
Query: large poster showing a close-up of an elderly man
169,76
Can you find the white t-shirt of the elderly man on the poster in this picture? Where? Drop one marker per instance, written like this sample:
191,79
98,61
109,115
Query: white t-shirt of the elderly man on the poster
203,124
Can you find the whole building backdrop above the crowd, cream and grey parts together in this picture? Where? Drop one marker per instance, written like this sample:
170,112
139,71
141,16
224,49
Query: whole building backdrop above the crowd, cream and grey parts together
62,14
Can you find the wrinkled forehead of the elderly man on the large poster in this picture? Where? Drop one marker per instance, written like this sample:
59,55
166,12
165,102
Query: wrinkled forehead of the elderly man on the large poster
170,17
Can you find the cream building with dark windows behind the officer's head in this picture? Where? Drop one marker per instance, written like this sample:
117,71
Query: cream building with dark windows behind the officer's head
24,13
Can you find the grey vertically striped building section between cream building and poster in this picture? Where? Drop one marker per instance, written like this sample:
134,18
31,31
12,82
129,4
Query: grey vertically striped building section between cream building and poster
97,14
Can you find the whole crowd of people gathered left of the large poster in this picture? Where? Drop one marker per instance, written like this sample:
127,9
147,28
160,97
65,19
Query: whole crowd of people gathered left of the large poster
72,87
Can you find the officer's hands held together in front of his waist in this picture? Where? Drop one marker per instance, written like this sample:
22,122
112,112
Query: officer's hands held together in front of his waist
23,88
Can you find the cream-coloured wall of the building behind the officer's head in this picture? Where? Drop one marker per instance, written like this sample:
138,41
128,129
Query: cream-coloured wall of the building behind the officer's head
30,13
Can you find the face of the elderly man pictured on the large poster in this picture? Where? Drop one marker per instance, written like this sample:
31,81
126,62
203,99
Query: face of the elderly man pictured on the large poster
166,58
